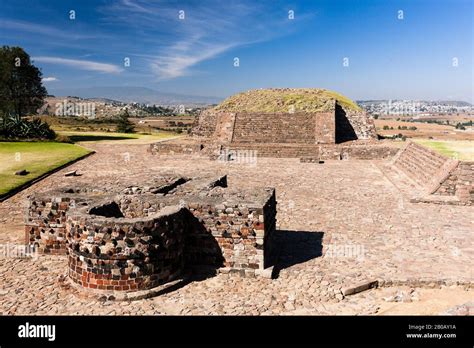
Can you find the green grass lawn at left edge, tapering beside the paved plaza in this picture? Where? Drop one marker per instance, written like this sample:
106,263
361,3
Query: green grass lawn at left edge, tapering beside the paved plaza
37,158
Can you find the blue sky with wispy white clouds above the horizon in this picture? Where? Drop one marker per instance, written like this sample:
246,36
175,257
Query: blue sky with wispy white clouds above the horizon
409,58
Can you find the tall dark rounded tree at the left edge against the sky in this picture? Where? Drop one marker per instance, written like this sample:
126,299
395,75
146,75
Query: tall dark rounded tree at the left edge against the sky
21,90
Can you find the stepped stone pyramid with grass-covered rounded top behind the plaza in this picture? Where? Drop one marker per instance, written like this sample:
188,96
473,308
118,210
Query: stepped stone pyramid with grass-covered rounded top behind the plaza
306,123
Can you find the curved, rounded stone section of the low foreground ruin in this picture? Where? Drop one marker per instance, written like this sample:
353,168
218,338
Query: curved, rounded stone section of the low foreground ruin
107,251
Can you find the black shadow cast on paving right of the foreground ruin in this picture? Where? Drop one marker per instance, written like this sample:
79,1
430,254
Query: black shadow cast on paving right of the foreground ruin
296,247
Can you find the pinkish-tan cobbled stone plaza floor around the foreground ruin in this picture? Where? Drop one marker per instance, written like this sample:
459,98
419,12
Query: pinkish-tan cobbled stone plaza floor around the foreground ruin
339,223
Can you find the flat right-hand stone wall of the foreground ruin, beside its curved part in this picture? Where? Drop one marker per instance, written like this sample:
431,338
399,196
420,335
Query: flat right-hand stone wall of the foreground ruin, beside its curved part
244,233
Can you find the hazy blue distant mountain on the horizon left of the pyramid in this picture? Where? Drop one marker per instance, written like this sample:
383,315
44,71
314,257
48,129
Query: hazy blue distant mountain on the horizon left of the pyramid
136,94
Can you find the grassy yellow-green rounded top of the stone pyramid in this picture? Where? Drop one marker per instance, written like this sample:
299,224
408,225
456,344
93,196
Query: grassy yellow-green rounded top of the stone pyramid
277,100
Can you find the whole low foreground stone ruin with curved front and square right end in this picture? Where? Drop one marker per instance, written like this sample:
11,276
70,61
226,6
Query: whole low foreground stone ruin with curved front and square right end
145,236
